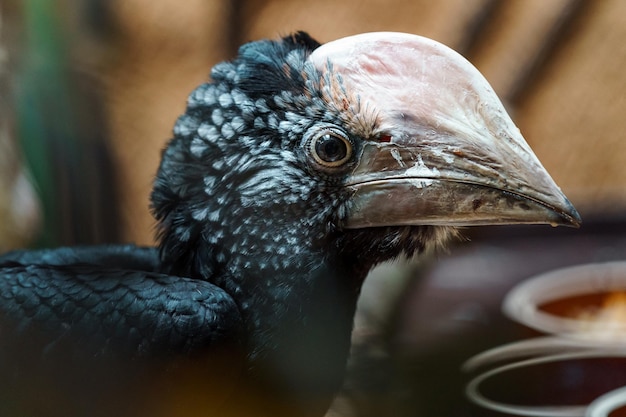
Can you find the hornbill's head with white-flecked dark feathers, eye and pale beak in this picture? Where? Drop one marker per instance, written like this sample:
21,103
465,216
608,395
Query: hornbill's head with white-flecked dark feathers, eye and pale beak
325,143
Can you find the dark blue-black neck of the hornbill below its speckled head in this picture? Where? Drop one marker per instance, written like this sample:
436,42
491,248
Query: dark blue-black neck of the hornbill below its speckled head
298,315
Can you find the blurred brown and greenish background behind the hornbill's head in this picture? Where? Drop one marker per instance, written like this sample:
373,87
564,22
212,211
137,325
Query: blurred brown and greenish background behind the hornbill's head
129,65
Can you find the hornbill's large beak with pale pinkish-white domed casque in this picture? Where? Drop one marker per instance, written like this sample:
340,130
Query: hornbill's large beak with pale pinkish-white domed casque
447,152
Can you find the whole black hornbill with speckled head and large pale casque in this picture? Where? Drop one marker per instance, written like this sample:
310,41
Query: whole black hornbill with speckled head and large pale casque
293,172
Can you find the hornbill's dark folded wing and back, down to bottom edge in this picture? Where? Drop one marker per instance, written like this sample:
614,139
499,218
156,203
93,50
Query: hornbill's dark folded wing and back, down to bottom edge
100,329
